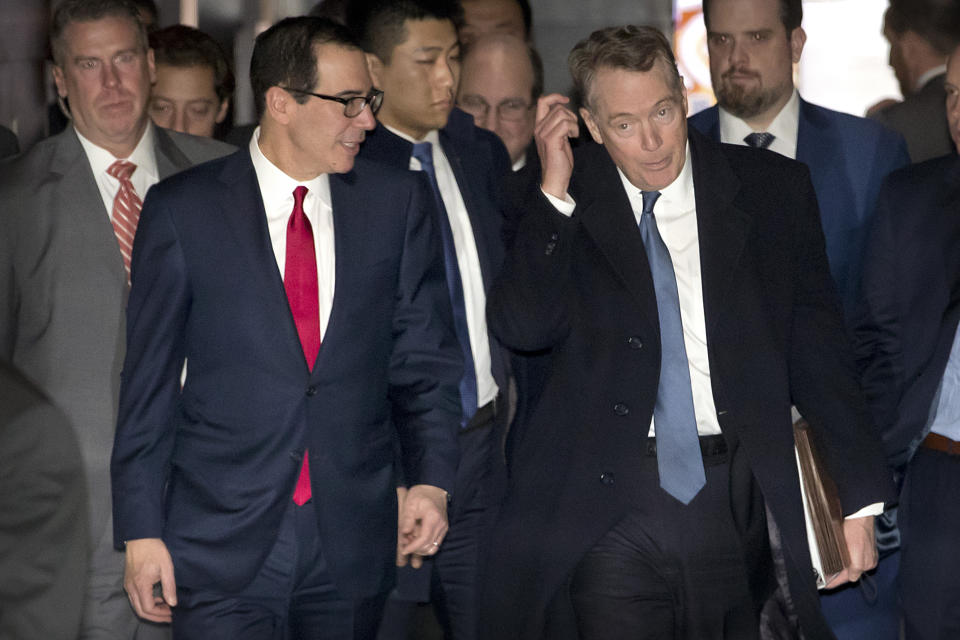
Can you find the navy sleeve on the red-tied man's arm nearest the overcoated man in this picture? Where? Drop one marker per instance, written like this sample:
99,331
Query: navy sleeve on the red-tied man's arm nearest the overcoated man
427,363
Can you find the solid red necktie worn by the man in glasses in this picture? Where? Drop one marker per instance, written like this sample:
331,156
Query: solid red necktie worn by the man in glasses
303,294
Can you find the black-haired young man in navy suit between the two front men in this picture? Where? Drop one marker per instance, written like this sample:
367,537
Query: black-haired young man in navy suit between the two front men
415,60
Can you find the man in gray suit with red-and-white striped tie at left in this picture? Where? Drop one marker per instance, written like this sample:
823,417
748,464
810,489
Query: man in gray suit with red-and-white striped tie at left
68,210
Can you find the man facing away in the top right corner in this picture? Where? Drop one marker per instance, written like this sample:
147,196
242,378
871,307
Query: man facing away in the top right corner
921,34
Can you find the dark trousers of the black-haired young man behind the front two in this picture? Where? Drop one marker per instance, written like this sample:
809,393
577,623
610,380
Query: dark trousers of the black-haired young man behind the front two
449,579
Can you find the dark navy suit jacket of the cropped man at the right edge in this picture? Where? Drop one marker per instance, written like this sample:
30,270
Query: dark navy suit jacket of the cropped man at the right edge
910,308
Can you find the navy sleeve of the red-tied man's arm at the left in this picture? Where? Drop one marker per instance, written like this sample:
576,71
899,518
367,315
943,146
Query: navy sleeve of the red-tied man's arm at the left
150,381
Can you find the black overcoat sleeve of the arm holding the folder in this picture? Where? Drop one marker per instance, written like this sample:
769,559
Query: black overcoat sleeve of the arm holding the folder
823,378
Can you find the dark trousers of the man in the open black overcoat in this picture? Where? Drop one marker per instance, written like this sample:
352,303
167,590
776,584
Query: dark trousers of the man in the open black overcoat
669,570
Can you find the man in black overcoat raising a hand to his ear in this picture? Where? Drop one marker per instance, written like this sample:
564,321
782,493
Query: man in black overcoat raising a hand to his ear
684,290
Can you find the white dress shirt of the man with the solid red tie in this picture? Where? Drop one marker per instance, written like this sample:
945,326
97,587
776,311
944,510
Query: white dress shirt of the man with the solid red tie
276,190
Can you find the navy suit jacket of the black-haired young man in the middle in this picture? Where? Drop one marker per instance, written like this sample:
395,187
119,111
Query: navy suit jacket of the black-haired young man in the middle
479,162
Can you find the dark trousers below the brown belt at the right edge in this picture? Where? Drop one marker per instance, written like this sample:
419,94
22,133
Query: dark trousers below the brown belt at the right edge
930,558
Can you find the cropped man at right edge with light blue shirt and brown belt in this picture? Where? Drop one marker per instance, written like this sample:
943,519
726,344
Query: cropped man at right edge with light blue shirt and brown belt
909,352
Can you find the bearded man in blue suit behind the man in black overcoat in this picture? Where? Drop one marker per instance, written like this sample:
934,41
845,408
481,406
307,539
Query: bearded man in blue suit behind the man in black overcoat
753,45
